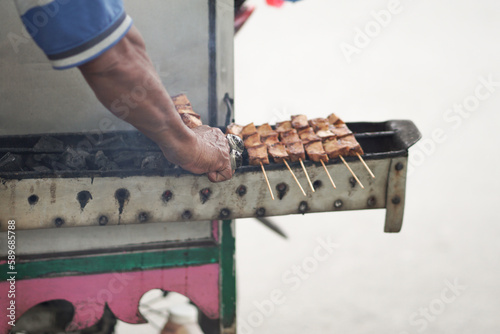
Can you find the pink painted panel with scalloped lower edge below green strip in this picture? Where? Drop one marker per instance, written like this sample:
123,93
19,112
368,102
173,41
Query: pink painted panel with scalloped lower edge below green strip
121,291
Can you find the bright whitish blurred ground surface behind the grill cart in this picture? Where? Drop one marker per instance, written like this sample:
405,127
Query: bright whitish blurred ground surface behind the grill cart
428,58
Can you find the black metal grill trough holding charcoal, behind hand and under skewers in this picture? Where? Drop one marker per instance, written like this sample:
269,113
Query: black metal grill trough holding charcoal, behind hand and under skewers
379,140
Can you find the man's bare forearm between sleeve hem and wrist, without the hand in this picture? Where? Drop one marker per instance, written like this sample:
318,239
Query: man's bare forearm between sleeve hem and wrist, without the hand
126,83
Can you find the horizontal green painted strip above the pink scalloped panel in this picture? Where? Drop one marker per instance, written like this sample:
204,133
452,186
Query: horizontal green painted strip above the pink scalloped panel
112,263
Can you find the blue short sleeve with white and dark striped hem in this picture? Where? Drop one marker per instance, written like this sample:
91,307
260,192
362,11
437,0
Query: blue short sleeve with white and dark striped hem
73,32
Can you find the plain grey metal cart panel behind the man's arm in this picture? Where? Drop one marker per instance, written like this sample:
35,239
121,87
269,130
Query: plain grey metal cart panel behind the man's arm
177,39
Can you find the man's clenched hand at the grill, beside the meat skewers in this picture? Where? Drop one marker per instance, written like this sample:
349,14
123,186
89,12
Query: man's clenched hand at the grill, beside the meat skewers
210,154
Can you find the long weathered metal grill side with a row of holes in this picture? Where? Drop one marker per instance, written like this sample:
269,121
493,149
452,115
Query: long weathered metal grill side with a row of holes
141,199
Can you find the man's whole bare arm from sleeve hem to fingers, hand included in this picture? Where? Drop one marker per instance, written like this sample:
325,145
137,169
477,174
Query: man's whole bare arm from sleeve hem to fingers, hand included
125,67
